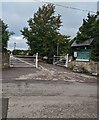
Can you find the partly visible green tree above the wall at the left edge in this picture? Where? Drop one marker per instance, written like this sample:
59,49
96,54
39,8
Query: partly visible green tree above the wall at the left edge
4,35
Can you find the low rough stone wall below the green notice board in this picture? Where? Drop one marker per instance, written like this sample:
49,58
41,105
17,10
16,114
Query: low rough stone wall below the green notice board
90,67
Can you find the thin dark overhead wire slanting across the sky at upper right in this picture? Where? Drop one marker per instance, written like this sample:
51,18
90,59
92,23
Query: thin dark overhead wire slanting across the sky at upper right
69,7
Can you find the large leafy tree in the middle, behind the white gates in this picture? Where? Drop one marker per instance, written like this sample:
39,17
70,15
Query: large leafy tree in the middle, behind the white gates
43,32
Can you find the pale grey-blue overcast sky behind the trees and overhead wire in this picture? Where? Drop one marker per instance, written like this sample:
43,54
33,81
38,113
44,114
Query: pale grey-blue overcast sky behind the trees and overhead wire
16,14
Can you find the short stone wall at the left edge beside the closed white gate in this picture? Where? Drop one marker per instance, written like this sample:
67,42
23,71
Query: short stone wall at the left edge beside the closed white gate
5,60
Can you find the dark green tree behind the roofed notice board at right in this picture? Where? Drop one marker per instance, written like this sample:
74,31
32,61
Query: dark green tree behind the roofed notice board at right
90,29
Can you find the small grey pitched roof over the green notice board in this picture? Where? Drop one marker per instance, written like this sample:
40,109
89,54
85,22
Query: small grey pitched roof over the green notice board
85,43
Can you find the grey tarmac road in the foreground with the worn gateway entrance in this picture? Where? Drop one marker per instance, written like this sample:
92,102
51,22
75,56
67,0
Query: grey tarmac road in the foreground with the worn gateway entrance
49,92
